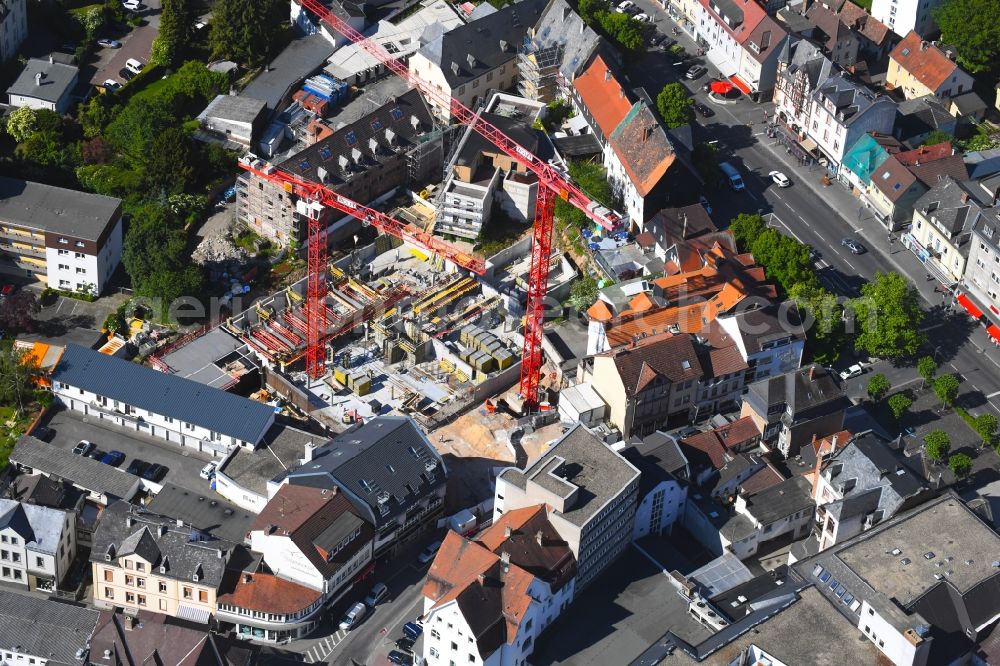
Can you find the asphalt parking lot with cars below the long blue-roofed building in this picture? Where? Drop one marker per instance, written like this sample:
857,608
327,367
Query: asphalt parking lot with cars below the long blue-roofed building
182,465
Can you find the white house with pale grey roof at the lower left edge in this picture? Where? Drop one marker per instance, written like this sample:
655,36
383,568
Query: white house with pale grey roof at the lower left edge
37,545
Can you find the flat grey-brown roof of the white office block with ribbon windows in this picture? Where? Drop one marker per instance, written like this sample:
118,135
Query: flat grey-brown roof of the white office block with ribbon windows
600,473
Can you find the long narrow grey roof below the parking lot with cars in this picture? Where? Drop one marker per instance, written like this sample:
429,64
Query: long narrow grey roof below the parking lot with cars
79,470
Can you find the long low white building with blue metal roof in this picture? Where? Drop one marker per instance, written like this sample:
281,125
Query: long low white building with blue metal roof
161,405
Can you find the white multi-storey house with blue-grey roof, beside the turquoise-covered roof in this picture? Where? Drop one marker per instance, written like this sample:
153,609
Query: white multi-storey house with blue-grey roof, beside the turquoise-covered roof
842,111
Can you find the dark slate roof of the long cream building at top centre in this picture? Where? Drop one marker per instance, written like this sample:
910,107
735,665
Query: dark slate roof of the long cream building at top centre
471,50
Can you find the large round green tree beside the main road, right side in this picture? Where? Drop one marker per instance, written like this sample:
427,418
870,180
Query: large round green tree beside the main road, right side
889,317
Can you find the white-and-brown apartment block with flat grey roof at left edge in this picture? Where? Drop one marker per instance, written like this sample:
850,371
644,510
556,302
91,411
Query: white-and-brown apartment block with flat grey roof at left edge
66,239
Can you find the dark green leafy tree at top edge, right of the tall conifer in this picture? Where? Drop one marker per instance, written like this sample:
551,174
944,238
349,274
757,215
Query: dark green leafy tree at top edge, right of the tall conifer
246,30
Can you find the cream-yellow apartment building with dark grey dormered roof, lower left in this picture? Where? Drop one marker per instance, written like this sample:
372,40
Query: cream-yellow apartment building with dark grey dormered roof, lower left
143,561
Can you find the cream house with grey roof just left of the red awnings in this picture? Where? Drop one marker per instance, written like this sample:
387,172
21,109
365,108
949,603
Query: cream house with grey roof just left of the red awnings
943,222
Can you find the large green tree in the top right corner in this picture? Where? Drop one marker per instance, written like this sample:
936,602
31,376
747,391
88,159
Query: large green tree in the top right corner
973,27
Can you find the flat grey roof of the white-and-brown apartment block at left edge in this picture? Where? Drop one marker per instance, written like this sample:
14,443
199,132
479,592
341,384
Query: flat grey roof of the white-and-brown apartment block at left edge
55,209
